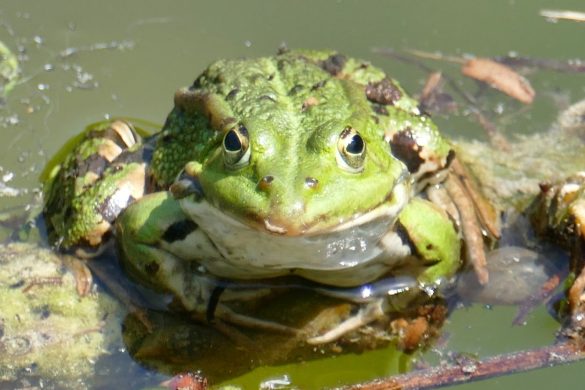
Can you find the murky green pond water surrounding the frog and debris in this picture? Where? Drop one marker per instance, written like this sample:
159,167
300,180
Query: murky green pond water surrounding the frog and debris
86,61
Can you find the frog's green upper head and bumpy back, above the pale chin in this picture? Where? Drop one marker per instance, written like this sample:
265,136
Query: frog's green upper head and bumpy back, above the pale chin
284,145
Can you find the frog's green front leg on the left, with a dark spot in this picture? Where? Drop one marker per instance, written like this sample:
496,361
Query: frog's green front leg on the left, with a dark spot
160,247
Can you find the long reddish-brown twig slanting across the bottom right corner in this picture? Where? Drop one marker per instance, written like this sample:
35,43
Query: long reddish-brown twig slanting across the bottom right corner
469,370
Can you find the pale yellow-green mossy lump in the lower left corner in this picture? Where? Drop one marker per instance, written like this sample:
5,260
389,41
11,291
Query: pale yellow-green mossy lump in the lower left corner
47,327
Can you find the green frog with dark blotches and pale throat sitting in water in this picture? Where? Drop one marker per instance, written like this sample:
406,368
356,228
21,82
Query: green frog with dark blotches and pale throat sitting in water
293,151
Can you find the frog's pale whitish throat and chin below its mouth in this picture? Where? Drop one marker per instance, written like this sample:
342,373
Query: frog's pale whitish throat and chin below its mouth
247,251
